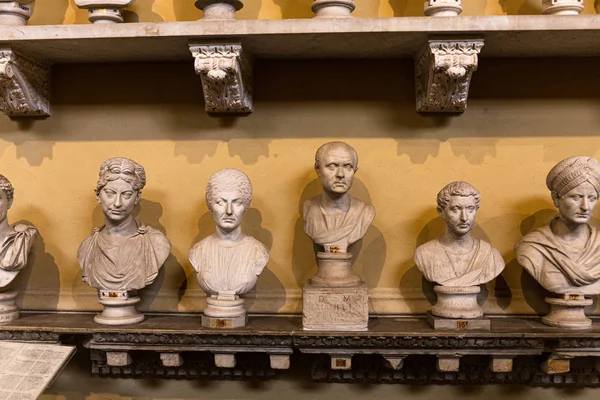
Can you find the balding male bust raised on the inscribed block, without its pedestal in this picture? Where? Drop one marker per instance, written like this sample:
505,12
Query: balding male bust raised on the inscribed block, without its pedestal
334,219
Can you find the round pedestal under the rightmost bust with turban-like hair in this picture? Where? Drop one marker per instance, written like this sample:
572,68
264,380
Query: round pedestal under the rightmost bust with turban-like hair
568,312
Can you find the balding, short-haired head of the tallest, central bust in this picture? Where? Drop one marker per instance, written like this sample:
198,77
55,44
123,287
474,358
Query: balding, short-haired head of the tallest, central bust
335,164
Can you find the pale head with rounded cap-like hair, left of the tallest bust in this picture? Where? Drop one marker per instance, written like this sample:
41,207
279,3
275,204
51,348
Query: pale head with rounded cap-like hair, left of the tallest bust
228,196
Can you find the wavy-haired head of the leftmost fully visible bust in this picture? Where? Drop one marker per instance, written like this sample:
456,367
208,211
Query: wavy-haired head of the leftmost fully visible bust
119,188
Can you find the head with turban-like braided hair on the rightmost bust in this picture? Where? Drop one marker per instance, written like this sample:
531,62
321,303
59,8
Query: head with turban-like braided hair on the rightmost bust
574,184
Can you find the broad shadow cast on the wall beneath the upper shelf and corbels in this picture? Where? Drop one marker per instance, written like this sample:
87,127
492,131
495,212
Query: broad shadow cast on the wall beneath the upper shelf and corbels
382,93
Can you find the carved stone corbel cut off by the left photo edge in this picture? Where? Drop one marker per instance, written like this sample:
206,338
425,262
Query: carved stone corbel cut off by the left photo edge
24,86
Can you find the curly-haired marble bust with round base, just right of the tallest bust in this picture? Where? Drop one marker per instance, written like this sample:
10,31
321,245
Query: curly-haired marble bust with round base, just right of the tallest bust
456,261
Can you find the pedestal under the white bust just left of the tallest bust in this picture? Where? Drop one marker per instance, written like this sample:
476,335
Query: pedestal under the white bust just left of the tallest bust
224,311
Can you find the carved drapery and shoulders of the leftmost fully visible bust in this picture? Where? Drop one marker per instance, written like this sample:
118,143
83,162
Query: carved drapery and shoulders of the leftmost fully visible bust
123,262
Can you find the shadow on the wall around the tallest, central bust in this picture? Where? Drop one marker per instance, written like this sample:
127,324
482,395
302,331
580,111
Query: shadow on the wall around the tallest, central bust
367,265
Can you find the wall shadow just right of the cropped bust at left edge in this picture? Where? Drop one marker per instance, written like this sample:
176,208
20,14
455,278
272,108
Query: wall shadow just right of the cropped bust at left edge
39,282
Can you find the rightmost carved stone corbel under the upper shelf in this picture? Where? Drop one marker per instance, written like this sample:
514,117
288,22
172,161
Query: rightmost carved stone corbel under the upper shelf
443,74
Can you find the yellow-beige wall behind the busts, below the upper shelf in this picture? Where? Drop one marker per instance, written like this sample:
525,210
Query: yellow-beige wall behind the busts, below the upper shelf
523,117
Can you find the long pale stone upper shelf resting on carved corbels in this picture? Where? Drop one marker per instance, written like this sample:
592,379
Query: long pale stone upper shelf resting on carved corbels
505,36
